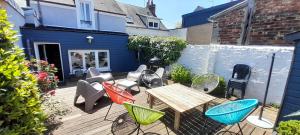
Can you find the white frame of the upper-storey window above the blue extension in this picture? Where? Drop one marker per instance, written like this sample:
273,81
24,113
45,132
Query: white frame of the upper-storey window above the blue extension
79,14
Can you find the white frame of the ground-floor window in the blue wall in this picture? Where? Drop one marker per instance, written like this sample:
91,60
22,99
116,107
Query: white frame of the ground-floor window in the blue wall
82,52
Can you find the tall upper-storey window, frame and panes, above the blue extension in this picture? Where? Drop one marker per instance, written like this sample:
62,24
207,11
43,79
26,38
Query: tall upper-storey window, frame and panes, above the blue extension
85,10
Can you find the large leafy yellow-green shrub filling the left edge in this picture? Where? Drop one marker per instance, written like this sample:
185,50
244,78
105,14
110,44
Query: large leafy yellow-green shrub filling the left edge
20,105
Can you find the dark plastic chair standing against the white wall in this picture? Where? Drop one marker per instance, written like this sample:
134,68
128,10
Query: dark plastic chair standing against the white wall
240,77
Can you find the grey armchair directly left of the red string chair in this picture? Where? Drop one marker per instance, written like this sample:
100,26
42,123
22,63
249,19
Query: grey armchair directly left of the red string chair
90,92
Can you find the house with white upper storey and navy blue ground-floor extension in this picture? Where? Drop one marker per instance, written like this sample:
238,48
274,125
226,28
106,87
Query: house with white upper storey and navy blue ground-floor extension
77,34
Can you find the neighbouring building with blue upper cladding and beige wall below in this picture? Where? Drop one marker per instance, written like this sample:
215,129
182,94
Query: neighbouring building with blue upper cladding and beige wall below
199,28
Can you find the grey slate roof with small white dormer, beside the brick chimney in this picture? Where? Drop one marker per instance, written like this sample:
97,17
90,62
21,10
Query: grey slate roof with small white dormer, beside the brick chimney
136,14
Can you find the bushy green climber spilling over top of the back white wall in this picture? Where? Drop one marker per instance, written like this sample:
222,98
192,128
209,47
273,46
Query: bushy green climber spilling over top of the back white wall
166,48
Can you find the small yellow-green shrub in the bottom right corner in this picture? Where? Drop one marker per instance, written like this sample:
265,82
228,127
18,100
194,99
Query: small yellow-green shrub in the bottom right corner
291,127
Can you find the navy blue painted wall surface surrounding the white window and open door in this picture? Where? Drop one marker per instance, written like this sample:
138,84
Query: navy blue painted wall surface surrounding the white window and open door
121,59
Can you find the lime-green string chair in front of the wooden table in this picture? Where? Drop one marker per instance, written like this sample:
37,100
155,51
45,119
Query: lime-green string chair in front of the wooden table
143,115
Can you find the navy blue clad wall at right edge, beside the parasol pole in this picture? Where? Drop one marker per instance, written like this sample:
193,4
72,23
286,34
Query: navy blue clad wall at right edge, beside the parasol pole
291,100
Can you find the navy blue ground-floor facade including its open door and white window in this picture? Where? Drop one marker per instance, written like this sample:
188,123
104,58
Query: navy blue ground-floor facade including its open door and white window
71,51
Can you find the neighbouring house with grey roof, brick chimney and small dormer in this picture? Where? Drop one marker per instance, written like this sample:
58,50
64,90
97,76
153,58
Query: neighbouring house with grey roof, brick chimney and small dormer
143,21
